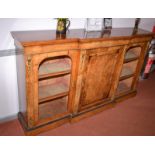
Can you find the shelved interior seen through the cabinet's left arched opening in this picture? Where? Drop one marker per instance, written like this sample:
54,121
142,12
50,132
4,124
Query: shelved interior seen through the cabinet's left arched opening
54,83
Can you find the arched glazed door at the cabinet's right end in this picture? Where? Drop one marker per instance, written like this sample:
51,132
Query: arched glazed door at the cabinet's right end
131,68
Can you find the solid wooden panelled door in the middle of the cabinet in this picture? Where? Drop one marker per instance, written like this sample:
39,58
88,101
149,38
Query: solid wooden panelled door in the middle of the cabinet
98,75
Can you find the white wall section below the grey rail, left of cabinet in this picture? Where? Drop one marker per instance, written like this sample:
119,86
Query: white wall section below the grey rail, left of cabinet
8,87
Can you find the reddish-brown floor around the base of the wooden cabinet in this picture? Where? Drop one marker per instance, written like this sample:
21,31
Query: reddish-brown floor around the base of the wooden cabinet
135,116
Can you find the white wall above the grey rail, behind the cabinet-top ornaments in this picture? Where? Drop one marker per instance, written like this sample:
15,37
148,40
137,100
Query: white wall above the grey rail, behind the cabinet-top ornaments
19,24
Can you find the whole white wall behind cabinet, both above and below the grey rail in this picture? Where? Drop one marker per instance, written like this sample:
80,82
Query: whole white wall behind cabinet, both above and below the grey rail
8,78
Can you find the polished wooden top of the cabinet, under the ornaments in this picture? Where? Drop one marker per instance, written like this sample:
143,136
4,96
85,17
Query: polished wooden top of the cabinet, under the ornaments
30,38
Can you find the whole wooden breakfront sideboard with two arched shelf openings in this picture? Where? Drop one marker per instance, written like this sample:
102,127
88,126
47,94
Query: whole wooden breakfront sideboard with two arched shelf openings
69,77
